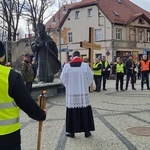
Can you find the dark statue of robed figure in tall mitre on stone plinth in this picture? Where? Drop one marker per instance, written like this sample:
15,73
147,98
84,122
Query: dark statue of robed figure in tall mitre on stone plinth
46,55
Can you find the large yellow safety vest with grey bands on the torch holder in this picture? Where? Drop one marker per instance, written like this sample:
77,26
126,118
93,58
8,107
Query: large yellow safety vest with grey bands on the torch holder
9,112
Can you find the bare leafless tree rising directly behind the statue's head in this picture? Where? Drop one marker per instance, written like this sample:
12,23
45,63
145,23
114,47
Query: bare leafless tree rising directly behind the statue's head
34,11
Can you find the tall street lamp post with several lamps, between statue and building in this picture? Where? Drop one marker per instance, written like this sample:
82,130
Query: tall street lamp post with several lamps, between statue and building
59,28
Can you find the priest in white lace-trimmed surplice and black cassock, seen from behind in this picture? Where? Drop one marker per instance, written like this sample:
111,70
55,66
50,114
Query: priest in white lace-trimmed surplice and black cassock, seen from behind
77,76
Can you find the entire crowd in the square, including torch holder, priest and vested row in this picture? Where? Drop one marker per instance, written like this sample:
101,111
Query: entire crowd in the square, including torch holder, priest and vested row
76,76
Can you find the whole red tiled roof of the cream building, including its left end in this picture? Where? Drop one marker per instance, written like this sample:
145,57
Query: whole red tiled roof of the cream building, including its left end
117,11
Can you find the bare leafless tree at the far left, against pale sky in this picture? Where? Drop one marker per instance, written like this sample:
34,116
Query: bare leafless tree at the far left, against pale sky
10,12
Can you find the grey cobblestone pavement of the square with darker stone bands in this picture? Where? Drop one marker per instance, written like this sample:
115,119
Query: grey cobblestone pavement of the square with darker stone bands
114,113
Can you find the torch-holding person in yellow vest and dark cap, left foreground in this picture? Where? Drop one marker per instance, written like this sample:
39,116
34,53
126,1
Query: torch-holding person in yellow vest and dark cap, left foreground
14,95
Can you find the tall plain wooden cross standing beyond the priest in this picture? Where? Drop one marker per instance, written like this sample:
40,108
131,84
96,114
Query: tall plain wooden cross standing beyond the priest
91,46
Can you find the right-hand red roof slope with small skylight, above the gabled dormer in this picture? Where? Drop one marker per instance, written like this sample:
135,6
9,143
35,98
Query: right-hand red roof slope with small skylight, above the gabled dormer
126,10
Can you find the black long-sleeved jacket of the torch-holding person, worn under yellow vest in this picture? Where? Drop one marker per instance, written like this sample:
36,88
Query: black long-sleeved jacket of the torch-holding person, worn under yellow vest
24,101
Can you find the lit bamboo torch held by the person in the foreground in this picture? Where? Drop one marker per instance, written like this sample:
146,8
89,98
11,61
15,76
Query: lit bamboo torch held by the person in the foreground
42,105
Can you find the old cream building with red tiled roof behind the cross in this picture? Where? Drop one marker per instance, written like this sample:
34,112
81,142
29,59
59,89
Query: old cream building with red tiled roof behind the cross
120,27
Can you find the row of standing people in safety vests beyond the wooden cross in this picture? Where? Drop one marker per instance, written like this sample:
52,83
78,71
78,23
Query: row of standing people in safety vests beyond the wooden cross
120,69
